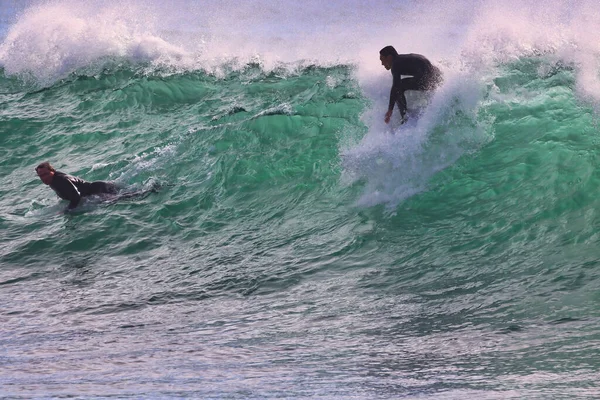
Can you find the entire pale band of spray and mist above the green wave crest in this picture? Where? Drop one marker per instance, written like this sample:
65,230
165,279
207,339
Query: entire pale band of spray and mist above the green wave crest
51,39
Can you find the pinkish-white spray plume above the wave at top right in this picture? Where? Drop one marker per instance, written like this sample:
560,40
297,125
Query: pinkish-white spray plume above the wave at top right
561,32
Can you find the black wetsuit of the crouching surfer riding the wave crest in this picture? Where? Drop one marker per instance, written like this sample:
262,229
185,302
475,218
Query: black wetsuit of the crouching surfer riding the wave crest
424,76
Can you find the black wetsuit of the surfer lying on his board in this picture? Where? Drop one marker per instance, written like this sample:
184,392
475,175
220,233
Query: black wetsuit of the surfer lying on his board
71,188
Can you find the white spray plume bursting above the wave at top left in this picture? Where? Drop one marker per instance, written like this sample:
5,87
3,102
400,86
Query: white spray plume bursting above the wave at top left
52,40
